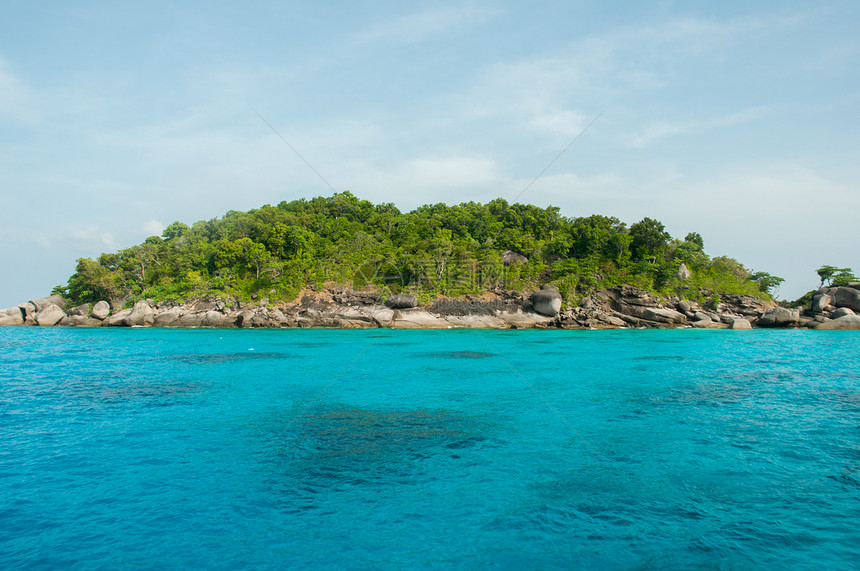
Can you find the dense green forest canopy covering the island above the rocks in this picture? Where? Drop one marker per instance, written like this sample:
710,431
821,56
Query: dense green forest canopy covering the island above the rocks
275,251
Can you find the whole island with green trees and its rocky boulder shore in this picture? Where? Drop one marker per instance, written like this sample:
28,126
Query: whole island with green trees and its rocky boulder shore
343,262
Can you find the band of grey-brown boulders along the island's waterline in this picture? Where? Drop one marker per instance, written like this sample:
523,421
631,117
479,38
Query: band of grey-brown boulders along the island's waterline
337,307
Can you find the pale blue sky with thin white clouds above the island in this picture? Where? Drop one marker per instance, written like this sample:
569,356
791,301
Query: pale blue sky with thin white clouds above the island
738,120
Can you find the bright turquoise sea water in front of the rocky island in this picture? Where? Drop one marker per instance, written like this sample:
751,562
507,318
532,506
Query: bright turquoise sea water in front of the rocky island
377,449
